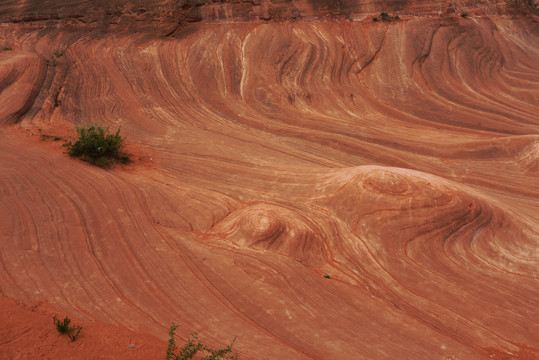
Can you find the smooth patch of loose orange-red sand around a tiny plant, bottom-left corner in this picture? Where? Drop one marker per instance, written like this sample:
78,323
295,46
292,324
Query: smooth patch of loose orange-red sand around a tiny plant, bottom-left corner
28,332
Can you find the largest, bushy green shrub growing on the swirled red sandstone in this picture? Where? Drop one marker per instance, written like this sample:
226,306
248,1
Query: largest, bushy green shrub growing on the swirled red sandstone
96,146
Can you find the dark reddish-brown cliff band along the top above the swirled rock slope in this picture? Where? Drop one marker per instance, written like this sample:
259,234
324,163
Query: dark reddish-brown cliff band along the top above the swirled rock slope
104,12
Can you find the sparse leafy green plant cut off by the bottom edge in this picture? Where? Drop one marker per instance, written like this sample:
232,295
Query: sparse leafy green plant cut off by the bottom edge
194,346
